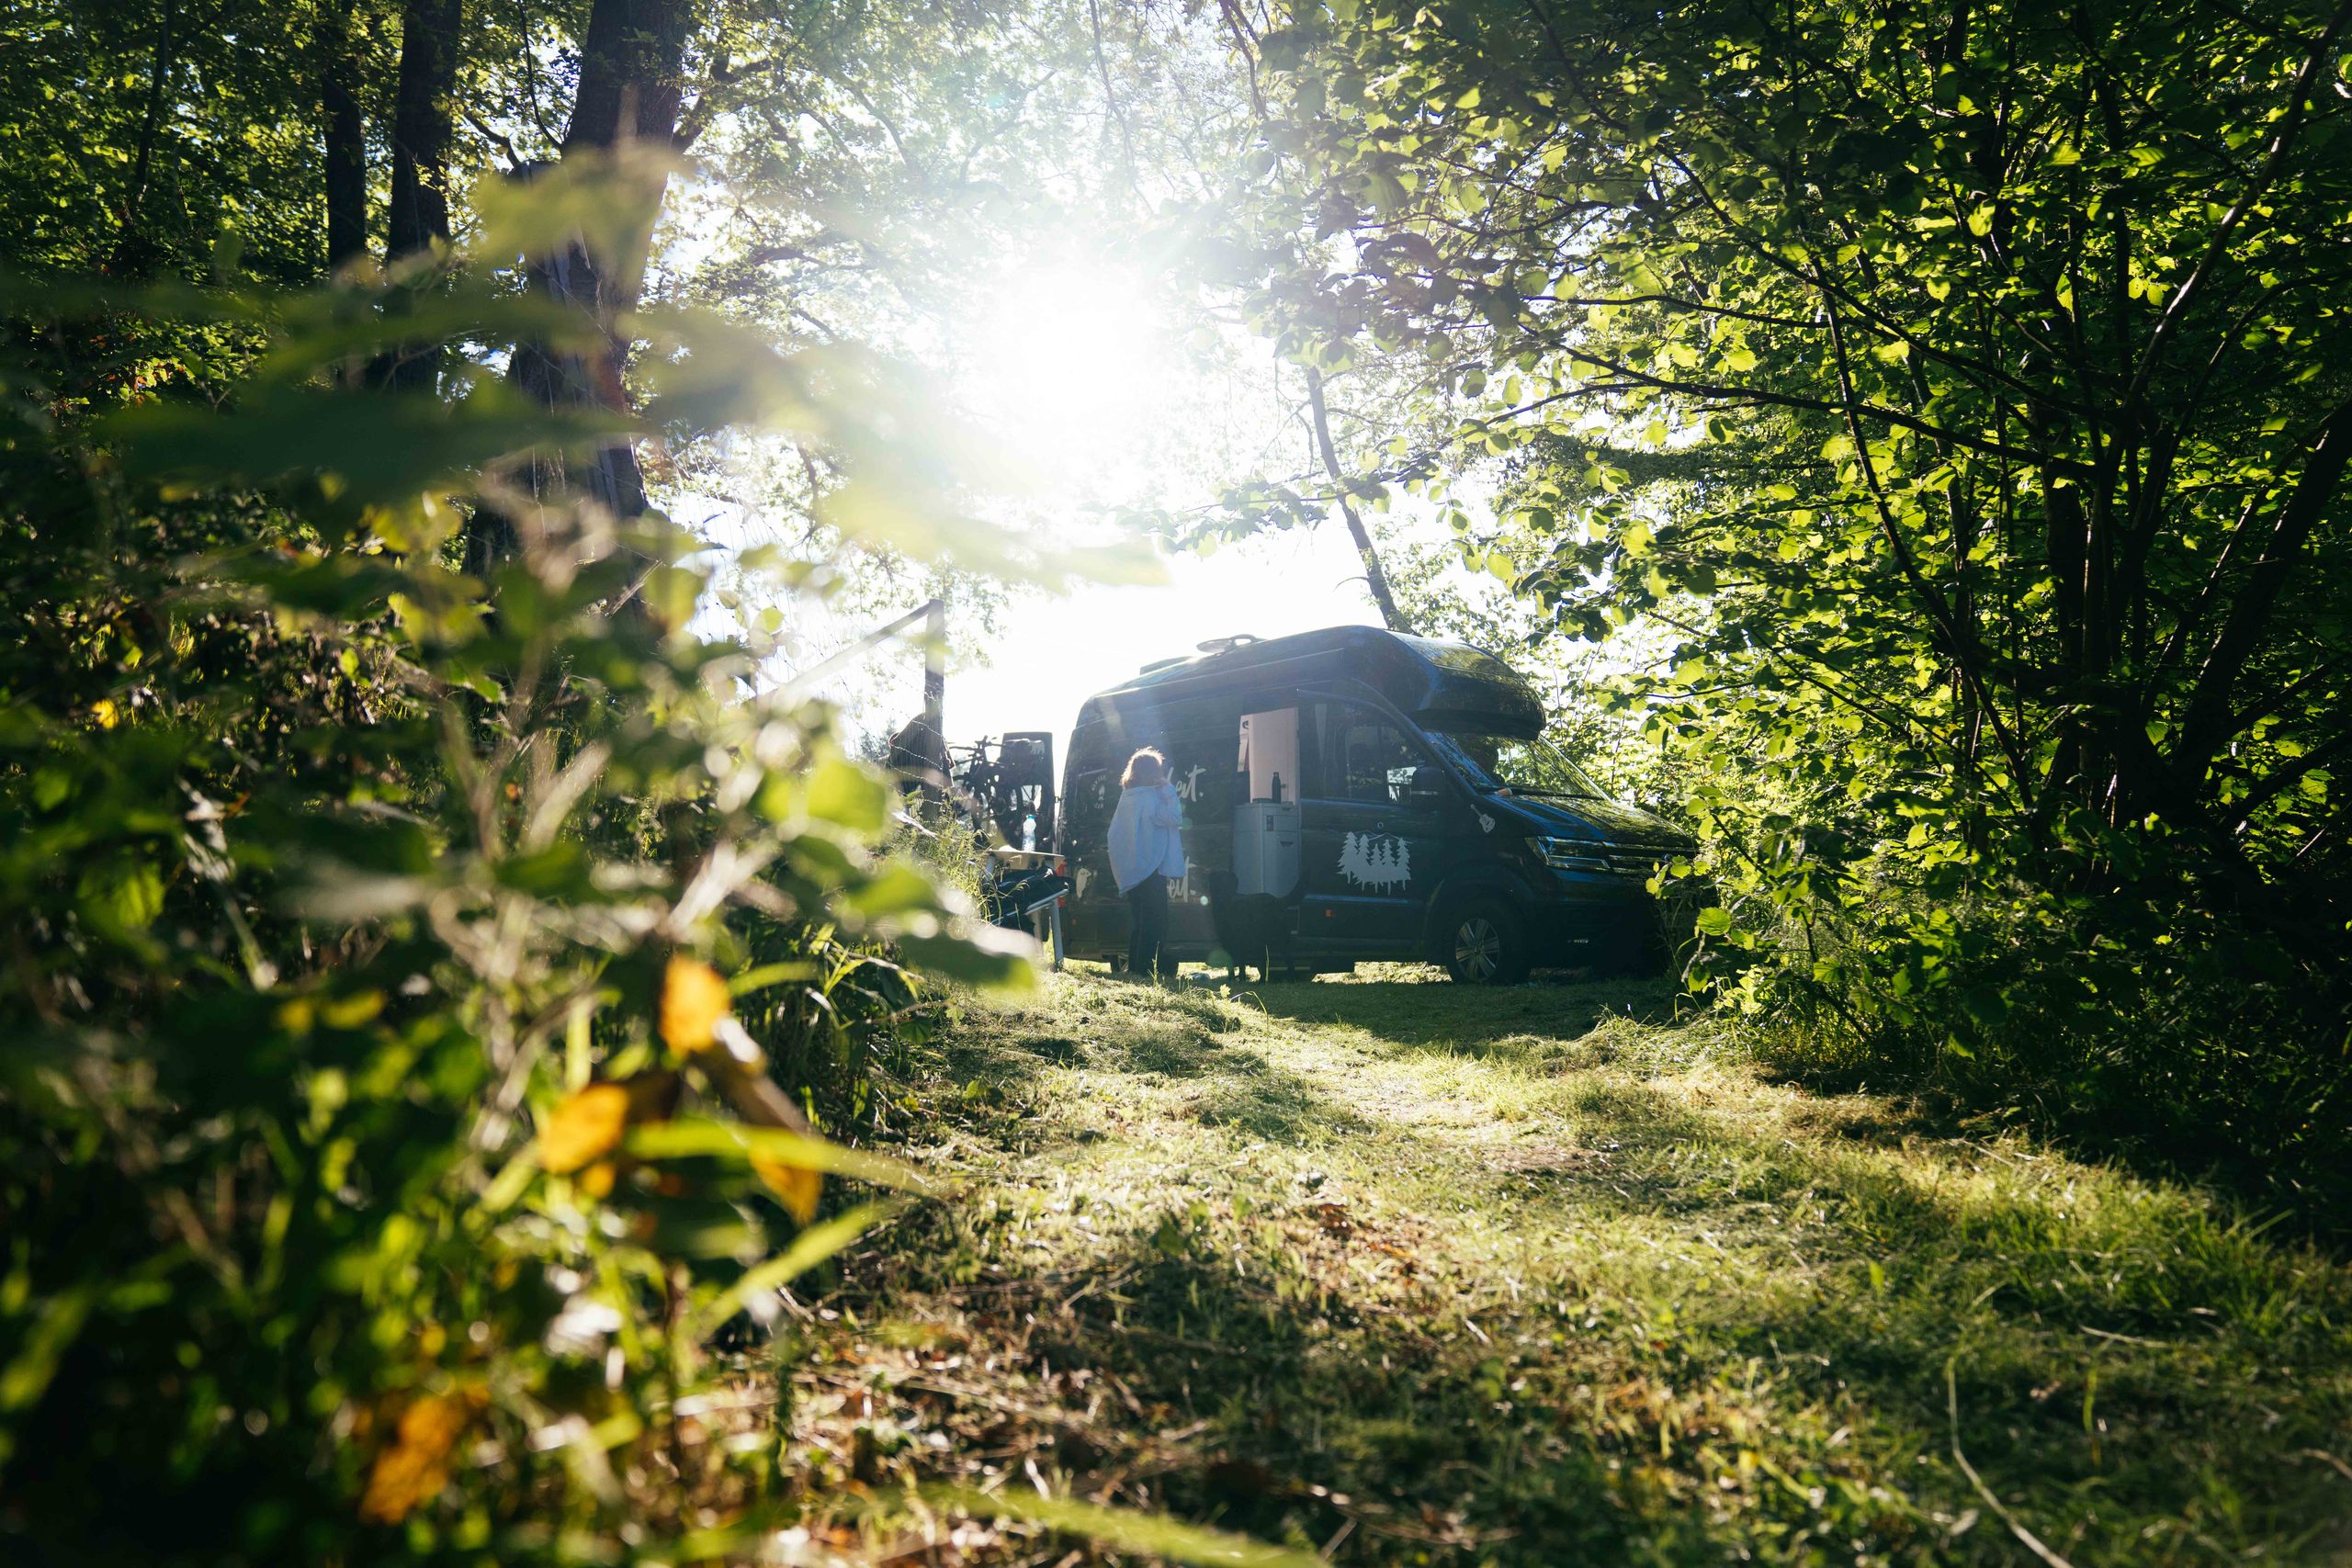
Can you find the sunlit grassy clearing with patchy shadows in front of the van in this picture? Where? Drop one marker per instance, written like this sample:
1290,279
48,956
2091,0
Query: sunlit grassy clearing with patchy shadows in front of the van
1408,1273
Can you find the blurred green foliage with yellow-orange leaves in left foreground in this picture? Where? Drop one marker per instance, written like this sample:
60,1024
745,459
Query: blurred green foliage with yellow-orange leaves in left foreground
399,958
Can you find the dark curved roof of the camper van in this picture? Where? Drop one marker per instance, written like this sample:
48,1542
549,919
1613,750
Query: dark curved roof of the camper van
1431,681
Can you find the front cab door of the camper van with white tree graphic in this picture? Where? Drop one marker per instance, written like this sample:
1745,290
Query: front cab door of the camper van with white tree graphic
1372,840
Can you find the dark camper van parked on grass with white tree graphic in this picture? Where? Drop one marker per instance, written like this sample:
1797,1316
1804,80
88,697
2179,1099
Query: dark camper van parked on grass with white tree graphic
1363,796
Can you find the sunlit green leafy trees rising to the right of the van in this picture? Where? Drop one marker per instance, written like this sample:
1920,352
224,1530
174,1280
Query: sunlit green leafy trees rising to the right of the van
1958,384
